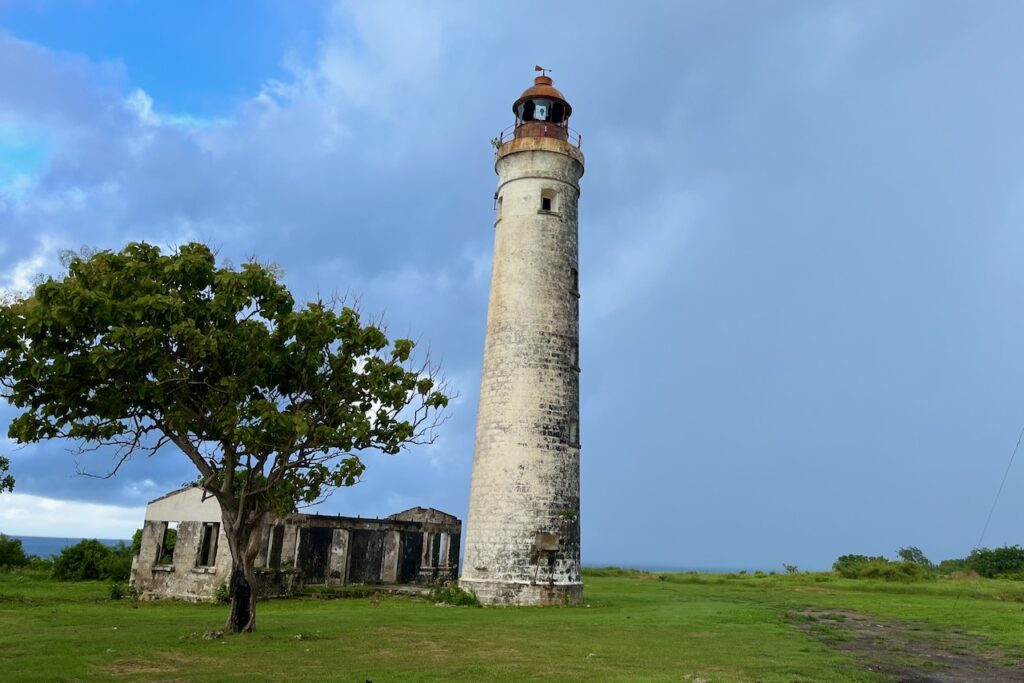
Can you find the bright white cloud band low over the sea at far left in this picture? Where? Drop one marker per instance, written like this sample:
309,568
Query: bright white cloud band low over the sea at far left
22,515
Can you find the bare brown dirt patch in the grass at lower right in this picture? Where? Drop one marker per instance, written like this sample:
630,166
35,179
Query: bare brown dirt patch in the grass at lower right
911,653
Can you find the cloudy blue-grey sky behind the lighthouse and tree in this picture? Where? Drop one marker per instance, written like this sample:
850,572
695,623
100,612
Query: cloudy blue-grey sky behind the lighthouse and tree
800,228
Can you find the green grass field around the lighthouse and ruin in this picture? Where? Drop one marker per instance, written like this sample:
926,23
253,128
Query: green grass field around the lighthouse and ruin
636,627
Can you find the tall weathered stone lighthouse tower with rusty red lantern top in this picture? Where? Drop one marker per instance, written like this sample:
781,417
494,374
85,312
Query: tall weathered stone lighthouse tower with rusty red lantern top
523,543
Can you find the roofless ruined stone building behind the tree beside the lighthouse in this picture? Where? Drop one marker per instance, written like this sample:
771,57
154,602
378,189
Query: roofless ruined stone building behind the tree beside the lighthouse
185,554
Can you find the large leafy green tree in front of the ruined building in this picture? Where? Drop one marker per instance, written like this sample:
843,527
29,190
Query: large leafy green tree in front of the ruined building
272,403
